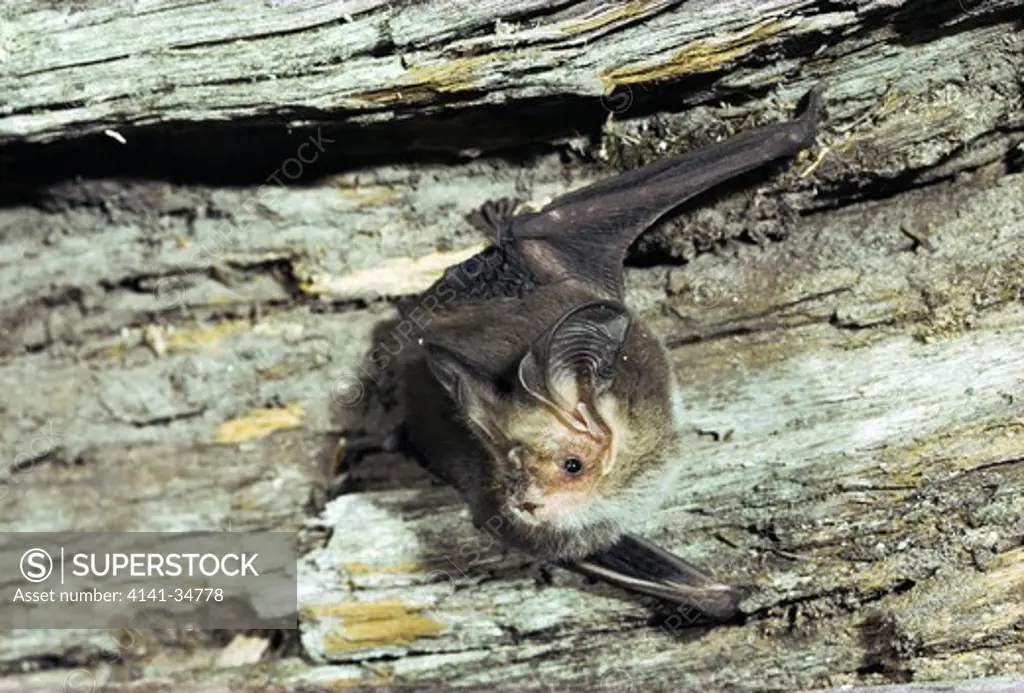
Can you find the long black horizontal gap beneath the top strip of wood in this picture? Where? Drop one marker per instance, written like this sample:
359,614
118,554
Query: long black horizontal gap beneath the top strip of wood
251,152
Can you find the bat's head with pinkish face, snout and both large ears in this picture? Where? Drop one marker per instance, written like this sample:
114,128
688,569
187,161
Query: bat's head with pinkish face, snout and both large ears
557,438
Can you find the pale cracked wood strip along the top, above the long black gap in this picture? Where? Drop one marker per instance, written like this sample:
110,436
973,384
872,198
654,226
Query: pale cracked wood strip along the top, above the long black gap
371,61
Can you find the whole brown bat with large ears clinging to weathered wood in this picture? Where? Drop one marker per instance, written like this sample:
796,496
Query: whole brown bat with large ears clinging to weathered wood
538,395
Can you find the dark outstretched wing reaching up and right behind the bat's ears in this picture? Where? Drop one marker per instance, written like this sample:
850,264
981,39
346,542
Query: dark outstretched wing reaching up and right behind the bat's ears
585,235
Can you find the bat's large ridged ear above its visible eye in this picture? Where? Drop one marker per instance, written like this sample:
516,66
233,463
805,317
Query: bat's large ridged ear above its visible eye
574,363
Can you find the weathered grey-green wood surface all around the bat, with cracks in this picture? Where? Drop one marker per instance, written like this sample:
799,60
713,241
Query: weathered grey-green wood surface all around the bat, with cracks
208,210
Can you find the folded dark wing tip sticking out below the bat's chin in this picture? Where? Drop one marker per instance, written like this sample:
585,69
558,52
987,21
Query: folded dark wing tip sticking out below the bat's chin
638,566
